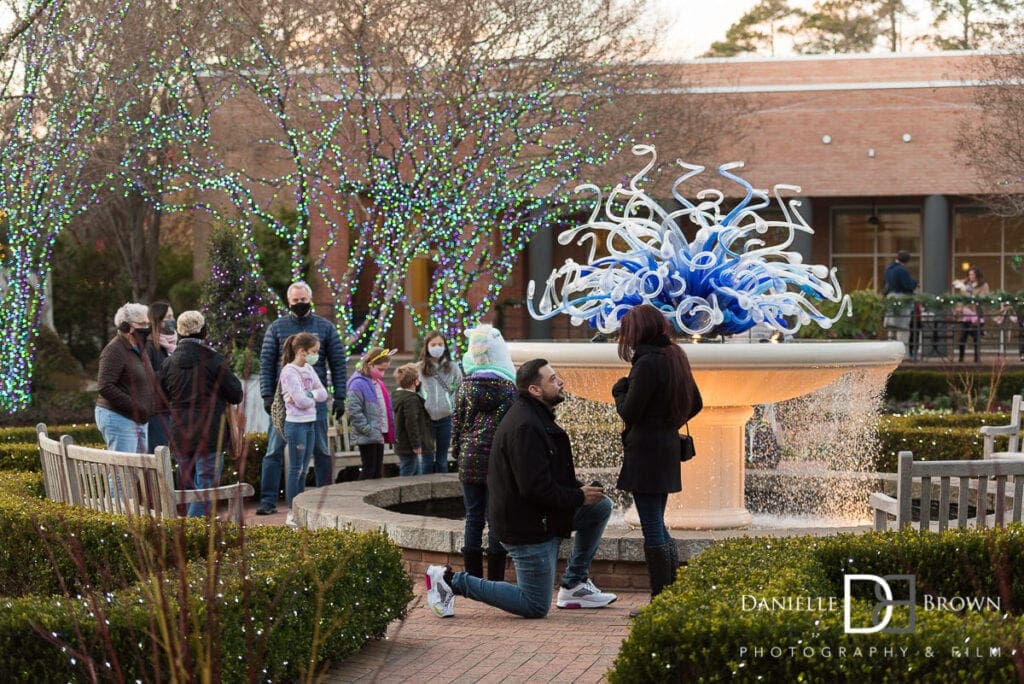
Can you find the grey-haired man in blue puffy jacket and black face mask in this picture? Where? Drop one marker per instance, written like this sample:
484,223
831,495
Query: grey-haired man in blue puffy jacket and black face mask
301,320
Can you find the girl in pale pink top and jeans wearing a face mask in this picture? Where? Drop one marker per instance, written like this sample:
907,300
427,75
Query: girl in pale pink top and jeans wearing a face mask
303,391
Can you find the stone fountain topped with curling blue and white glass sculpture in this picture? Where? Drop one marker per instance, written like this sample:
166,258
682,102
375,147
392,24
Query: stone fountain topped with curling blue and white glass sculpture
724,281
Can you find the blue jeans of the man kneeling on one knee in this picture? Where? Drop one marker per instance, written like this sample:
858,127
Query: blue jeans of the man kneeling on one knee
535,568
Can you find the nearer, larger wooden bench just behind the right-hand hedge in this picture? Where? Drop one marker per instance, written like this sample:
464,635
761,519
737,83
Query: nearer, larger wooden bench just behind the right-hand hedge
995,484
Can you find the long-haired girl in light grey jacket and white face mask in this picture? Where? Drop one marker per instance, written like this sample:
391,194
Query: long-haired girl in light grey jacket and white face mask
440,377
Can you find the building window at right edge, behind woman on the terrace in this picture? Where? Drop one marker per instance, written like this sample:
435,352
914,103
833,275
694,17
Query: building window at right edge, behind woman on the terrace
992,243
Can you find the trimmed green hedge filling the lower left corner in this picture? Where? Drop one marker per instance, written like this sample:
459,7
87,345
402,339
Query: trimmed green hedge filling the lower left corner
141,600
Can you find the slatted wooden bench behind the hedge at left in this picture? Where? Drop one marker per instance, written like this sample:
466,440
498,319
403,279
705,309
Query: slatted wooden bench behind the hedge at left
135,484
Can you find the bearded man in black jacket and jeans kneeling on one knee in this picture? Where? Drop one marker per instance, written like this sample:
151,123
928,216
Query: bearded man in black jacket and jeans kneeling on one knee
535,501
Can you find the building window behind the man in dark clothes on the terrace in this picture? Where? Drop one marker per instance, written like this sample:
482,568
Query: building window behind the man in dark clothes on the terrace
866,240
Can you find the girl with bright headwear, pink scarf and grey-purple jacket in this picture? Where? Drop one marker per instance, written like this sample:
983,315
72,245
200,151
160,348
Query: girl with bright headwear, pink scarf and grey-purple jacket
369,407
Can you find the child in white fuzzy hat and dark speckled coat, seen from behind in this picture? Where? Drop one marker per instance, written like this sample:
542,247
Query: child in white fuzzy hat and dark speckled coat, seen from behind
482,400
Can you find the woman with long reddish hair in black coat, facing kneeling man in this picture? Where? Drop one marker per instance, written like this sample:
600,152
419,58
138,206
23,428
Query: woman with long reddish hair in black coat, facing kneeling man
658,398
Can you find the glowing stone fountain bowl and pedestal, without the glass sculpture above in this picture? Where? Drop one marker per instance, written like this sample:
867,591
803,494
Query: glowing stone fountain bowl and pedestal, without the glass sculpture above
733,379
